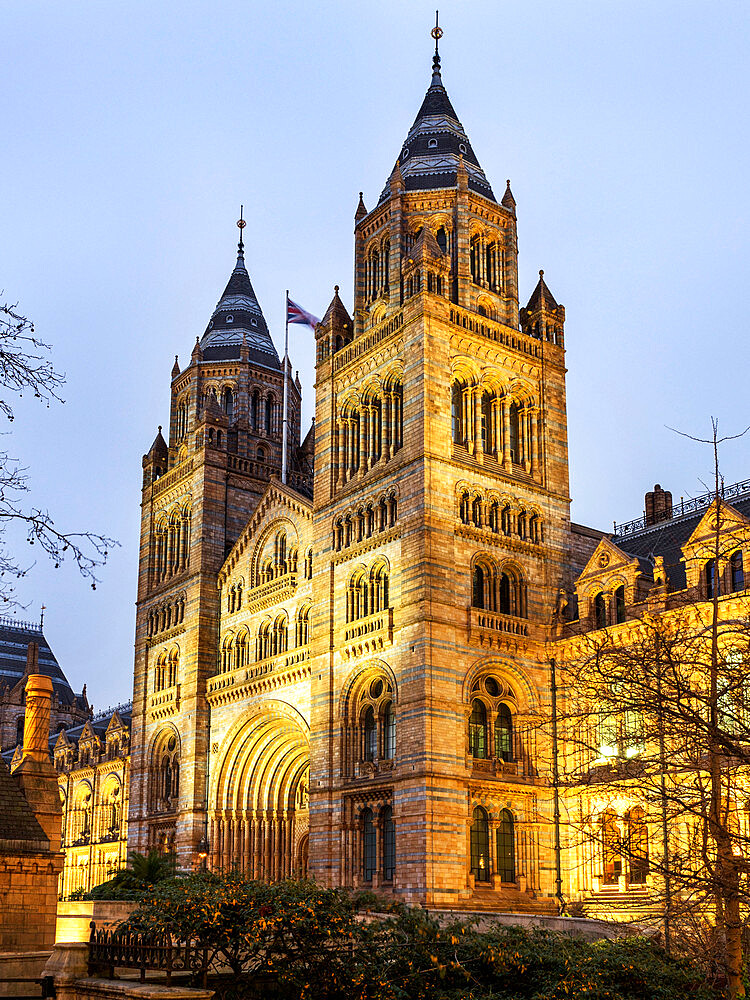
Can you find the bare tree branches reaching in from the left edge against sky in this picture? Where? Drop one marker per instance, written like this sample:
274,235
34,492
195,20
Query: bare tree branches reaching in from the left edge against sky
26,368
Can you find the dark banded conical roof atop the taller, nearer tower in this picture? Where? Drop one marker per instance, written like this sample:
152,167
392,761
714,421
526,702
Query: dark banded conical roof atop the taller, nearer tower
429,158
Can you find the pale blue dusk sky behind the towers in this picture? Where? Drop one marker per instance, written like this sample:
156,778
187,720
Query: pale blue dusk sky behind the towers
133,131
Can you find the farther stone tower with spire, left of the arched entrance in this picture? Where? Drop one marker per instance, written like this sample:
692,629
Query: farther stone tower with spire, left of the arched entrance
224,444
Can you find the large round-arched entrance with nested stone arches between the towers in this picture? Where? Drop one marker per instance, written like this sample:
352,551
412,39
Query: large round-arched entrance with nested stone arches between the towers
259,820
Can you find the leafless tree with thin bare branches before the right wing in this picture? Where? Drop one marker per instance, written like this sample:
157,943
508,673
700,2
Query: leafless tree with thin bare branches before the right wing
655,718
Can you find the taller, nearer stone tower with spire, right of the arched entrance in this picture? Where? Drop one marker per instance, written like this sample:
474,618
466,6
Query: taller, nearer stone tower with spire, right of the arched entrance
441,515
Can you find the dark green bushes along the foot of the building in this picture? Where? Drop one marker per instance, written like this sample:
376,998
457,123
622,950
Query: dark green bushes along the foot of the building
296,940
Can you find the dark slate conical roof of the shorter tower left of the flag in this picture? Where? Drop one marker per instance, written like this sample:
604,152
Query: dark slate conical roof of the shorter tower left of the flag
238,313
